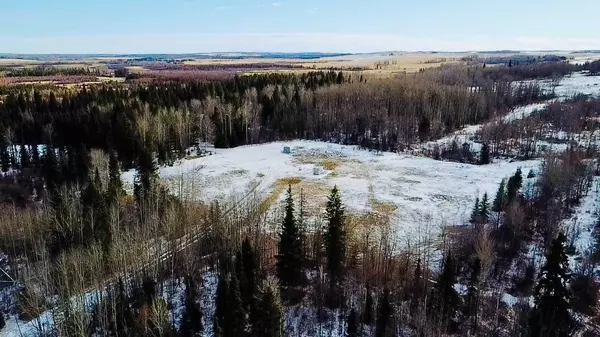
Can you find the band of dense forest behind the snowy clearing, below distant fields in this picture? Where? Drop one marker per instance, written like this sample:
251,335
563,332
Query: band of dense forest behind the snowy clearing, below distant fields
168,118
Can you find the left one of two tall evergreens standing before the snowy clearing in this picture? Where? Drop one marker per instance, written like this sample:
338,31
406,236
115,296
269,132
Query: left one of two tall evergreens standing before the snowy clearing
289,259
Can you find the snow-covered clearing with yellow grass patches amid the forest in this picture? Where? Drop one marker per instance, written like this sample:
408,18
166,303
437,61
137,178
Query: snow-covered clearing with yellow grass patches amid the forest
419,194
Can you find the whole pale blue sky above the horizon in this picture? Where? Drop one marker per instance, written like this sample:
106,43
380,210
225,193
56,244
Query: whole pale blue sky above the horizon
180,26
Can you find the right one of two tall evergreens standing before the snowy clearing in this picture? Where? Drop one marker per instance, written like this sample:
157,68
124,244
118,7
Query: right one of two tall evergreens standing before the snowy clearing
335,237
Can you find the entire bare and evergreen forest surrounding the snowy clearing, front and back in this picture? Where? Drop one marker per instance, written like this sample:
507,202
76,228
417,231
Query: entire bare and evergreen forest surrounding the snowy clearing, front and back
68,227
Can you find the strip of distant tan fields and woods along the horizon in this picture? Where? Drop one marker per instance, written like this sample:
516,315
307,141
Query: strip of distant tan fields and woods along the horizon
376,65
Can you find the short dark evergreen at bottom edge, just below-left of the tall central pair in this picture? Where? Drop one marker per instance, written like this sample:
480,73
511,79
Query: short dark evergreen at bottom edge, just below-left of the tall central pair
269,317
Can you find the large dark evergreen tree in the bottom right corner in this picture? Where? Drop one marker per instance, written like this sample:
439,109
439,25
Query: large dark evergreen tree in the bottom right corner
551,317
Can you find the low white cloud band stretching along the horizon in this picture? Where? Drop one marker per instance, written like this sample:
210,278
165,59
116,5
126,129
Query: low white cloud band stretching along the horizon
284,42
